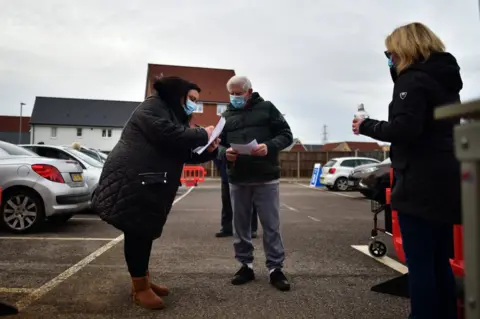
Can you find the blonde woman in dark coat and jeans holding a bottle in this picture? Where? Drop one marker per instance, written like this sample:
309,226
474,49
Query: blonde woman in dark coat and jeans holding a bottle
426,192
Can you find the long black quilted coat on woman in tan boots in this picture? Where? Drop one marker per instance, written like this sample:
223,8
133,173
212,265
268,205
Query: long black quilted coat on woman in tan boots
142,173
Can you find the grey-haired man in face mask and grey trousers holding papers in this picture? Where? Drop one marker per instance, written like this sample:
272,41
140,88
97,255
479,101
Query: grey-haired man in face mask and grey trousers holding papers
254,178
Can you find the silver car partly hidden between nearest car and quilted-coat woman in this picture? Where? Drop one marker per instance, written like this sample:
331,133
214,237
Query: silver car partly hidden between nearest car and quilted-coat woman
92,169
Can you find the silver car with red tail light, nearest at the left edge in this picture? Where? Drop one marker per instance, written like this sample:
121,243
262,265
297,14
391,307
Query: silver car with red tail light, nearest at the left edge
35,189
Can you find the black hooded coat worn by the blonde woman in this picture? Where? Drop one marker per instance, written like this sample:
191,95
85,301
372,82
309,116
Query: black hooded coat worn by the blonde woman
427,172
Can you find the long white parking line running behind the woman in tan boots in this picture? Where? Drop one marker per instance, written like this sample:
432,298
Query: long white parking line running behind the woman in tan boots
44,289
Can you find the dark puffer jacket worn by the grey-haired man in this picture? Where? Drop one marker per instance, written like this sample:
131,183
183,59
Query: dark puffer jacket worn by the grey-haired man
262,121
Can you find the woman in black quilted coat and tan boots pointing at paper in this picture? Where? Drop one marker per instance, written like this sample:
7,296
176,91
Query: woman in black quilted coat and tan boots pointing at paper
141,176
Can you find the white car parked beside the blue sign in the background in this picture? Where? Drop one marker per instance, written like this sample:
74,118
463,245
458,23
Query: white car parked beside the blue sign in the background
336,171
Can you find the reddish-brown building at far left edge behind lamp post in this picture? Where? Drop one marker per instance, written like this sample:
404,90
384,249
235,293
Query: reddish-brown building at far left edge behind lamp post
10,130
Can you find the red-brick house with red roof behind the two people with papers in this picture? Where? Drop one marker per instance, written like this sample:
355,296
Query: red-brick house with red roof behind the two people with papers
214,97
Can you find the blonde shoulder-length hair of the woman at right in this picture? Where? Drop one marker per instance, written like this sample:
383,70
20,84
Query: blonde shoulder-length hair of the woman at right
411,42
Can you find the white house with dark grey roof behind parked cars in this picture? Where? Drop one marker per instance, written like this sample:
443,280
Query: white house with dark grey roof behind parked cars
94,123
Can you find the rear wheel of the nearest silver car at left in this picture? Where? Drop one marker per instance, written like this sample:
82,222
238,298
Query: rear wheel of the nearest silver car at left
20,212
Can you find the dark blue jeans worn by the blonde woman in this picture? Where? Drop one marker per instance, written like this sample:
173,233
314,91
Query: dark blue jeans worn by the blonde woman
428,247
